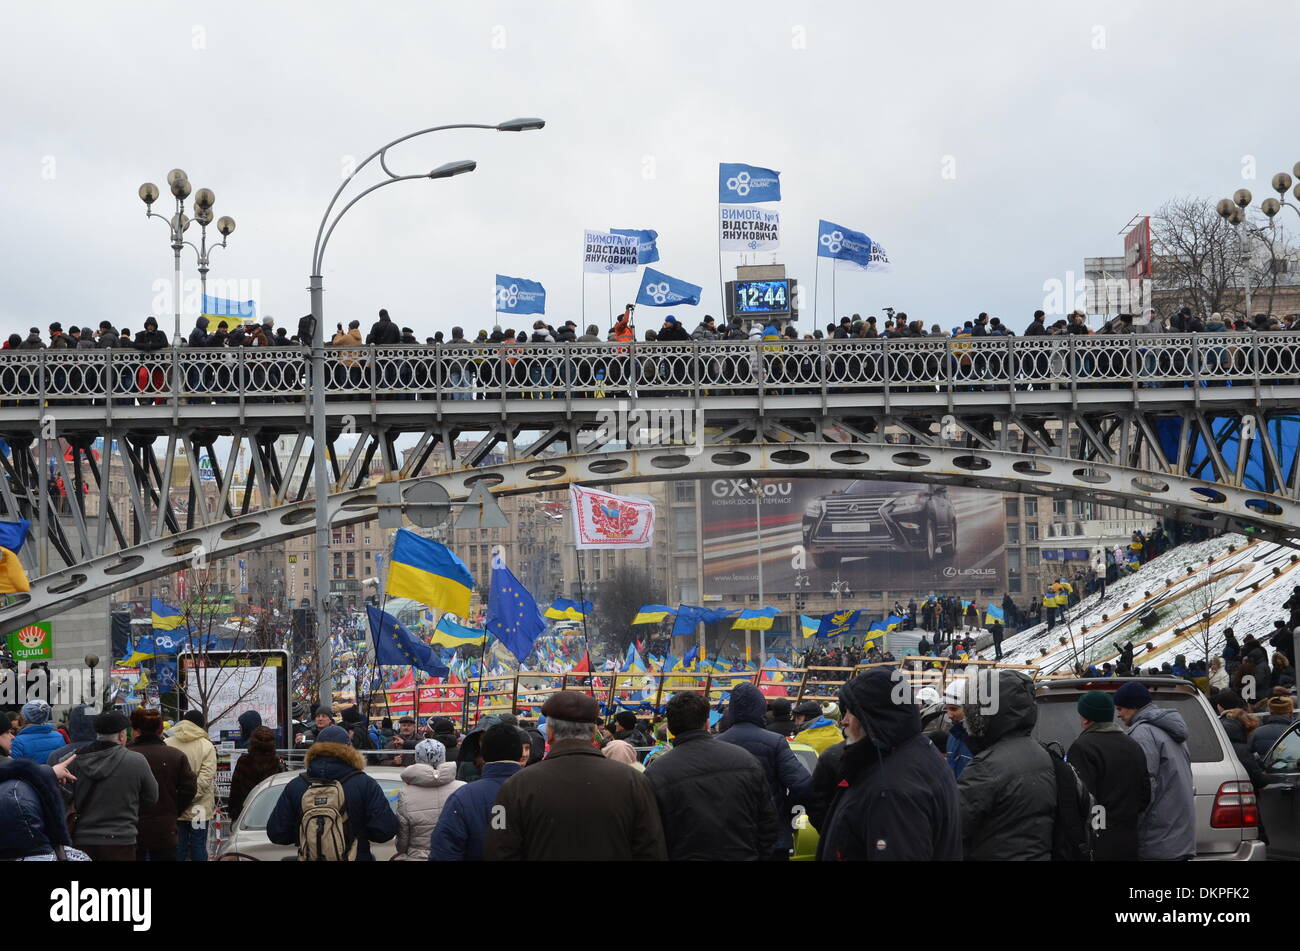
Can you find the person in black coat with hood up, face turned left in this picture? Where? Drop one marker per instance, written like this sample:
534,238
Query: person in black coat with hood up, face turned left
898,801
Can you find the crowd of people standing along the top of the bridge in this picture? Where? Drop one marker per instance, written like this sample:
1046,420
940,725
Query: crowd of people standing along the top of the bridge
483,376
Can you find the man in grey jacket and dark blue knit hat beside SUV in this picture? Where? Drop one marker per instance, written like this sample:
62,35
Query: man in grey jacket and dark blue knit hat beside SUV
1168,828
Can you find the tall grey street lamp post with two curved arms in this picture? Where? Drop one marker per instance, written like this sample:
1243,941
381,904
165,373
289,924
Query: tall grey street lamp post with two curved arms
318,361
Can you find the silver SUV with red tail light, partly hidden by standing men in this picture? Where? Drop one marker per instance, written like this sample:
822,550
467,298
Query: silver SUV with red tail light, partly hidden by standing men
1227,814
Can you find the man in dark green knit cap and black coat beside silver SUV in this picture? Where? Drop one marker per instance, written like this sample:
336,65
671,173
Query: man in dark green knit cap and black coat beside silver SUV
1115,770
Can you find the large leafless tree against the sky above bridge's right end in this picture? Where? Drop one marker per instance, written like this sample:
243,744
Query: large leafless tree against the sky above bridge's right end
1198,257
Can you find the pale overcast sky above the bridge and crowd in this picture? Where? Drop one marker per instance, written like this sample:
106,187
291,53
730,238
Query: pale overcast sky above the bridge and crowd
1060,123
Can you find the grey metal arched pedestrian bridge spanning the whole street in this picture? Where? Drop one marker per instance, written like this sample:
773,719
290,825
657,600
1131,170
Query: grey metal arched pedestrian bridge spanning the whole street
1201,424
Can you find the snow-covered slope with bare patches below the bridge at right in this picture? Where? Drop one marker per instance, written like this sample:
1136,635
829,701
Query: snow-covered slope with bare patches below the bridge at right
1240,589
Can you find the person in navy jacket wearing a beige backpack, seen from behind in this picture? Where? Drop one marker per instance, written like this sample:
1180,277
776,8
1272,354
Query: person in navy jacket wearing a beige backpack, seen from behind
332,759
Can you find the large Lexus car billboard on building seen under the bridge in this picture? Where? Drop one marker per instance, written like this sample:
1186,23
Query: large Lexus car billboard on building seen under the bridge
902,537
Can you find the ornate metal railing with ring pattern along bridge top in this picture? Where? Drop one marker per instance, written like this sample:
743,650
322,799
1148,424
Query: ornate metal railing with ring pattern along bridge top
580,371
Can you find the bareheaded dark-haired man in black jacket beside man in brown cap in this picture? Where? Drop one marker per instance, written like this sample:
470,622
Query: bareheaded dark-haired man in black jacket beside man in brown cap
713,797
